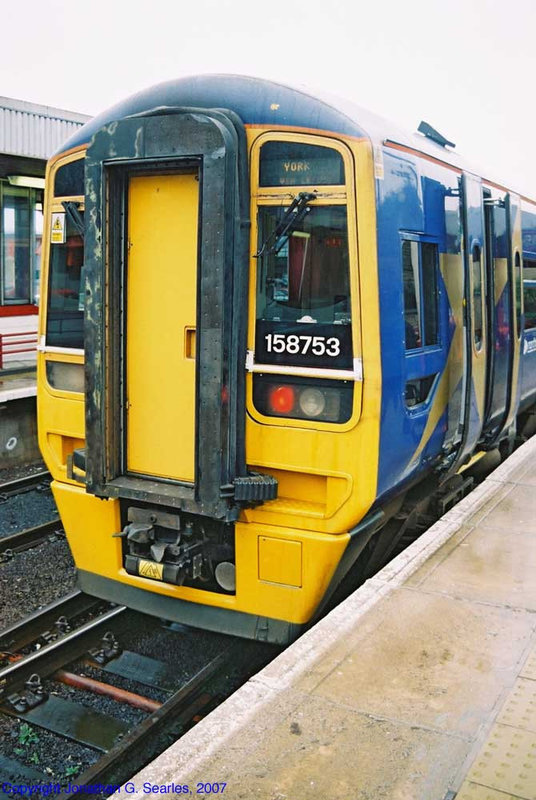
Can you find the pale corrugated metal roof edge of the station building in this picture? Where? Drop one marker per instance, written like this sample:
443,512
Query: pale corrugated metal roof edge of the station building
35,131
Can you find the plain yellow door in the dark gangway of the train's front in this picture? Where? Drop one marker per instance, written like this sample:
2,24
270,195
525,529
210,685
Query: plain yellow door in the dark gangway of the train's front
161,308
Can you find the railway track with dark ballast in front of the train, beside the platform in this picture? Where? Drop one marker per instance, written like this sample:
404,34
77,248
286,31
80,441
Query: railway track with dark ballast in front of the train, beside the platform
37,656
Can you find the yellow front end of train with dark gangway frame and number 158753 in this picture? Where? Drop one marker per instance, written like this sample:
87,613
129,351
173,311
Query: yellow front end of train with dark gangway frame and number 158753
206,326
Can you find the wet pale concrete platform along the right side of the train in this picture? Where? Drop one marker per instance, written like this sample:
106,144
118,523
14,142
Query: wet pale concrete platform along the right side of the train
420,686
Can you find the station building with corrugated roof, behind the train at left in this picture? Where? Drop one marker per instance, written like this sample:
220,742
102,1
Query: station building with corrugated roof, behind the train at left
29,134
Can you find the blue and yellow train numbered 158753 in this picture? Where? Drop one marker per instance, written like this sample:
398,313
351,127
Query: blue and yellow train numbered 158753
276,333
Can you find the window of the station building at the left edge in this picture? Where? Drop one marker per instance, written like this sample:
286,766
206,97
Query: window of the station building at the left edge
20,235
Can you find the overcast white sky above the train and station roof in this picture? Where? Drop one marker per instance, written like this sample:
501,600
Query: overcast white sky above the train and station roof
466,66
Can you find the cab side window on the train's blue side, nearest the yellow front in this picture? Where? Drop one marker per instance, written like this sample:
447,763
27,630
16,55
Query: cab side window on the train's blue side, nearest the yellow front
419,271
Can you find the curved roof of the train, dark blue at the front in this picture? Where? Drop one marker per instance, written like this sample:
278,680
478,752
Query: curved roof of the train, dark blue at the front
262,102
